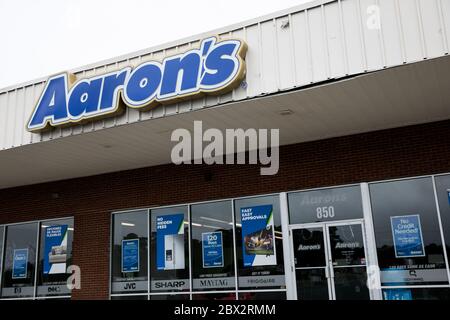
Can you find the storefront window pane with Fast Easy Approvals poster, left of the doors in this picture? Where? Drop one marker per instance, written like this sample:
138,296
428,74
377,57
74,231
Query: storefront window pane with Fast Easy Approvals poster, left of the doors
259,243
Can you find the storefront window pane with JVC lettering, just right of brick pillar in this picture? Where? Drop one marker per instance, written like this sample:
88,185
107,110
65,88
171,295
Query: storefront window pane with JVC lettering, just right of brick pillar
130,252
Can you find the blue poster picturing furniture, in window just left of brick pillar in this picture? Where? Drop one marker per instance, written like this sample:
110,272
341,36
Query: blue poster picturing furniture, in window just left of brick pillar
55,254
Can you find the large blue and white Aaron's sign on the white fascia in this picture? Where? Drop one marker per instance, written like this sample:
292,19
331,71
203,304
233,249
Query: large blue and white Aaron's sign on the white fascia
214,68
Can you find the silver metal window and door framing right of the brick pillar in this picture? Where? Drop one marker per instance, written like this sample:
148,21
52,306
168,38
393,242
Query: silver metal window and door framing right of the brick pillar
367,225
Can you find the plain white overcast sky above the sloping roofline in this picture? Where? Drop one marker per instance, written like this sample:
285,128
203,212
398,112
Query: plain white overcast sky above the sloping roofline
43,37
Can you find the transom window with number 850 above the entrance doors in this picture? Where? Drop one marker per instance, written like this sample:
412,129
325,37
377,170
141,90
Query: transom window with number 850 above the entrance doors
325,205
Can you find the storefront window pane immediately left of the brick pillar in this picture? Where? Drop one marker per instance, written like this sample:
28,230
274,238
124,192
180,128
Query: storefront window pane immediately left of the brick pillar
55,255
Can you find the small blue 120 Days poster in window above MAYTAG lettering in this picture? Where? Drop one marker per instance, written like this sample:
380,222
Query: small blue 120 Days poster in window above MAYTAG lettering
212,249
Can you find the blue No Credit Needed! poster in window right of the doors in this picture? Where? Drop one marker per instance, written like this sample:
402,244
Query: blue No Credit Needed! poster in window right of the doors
407,236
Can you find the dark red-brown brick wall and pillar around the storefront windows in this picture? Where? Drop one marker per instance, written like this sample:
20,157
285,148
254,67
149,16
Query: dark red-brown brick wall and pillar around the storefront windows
408,151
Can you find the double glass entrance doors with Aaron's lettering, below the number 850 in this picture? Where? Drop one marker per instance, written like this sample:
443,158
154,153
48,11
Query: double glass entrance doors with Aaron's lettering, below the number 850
330,261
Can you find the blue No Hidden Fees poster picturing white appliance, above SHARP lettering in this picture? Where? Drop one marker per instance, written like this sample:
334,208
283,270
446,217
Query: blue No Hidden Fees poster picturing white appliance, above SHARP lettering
170,242
